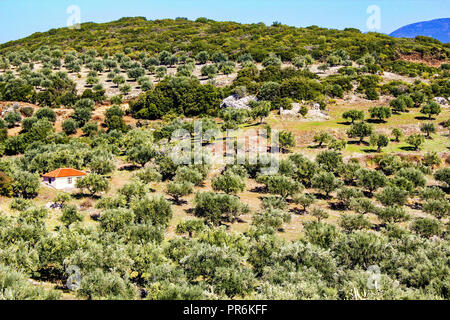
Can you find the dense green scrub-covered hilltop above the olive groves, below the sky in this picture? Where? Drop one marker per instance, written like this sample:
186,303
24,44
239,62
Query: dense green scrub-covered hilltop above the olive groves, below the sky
138,34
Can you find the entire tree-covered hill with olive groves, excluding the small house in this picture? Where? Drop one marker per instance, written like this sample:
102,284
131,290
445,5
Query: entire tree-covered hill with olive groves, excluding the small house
358,209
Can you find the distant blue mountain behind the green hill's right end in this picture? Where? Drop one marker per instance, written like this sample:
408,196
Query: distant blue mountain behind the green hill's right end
437,29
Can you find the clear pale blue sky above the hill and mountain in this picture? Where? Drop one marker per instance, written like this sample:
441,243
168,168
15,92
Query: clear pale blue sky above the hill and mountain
20,18
